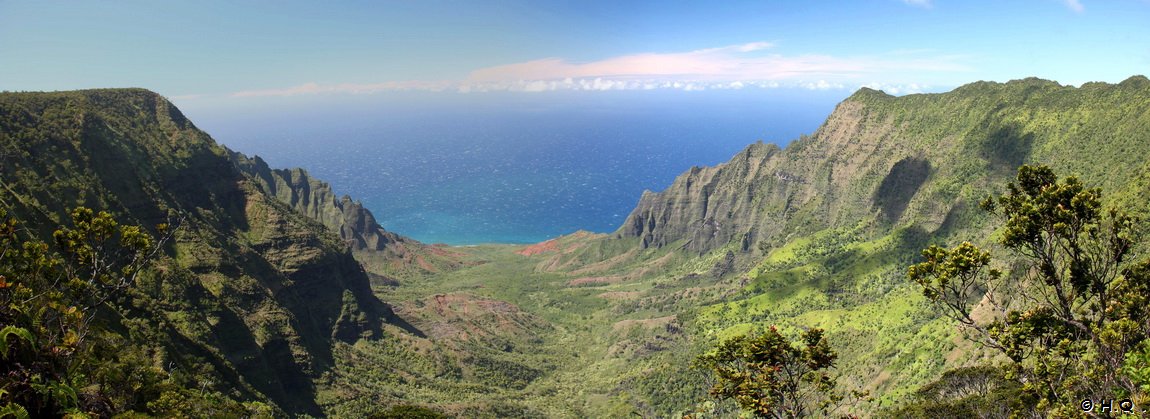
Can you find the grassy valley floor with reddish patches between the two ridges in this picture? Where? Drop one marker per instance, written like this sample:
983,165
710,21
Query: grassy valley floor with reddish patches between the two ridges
566,359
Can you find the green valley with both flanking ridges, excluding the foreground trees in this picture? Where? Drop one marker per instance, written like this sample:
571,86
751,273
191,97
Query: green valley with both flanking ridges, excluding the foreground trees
273,287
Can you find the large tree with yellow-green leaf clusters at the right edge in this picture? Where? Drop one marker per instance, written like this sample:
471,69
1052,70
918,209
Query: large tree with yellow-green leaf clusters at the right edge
1074,313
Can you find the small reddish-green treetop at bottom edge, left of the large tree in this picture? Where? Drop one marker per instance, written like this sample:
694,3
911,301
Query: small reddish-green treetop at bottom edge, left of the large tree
772,378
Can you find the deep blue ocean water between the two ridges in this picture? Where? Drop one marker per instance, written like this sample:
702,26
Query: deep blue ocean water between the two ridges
519,167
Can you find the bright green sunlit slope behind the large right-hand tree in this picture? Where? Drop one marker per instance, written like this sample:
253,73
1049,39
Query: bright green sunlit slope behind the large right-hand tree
850,279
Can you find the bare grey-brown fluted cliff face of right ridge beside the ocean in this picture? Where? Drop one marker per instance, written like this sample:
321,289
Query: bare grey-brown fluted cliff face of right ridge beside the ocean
818,181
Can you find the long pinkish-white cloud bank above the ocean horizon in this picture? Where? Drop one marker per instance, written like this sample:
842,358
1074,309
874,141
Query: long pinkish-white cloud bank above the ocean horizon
750,65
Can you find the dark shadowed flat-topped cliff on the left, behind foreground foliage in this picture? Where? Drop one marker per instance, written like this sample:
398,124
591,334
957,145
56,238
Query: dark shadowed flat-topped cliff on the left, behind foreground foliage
250,292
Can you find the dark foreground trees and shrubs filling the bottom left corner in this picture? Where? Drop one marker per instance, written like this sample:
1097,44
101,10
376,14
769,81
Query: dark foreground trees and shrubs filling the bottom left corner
59,354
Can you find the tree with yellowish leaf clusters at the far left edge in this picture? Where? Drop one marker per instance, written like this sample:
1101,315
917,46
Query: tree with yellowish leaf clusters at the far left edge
49,302
